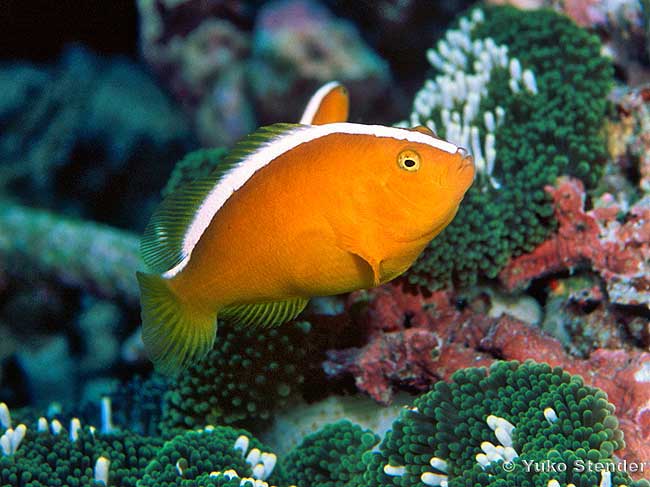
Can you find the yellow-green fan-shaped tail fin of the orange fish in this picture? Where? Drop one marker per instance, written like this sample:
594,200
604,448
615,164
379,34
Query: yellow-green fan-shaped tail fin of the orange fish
175,332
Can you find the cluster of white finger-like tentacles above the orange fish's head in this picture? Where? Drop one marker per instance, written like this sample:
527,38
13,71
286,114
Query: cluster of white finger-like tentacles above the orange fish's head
466,68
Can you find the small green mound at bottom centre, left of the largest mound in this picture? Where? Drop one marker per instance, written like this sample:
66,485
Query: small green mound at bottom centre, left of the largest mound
330,457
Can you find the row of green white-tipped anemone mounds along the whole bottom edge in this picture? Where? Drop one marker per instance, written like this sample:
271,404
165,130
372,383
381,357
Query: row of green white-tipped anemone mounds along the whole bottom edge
478,429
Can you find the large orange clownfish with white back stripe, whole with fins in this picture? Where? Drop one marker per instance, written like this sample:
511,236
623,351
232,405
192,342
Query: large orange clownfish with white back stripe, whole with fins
294,211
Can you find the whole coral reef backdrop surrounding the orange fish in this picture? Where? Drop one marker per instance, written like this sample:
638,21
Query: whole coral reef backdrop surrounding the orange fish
520,339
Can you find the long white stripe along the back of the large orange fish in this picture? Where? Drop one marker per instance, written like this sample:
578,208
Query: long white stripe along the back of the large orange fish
266,153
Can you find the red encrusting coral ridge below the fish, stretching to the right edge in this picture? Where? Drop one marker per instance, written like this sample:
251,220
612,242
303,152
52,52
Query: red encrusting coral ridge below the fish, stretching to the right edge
415,341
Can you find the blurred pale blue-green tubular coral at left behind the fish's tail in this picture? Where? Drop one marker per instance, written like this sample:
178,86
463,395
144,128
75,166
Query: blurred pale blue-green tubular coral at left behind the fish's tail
95,257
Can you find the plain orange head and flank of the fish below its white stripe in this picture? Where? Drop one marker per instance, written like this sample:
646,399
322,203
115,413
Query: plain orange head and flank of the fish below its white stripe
288,234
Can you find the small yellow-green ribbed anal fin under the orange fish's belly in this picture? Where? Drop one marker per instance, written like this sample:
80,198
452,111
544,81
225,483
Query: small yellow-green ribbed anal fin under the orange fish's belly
264,315
